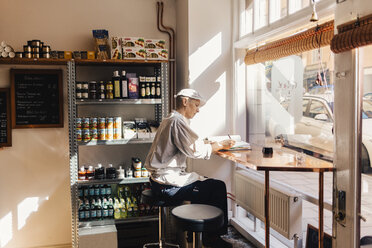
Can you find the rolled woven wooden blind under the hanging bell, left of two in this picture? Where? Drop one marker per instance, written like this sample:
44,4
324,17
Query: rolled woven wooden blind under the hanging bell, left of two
310,39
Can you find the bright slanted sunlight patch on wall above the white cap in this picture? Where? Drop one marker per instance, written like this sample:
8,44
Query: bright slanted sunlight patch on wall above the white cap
204,56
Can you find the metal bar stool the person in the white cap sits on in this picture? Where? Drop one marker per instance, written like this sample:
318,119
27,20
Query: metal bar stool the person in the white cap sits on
148,197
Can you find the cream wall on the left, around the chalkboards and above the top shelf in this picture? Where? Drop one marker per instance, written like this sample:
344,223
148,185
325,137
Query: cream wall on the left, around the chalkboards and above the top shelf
34,180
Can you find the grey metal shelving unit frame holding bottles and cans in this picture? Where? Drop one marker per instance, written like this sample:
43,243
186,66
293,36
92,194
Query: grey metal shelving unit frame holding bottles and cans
161,108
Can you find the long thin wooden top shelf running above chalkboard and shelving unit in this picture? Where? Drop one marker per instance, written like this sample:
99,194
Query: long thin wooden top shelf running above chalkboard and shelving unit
86,62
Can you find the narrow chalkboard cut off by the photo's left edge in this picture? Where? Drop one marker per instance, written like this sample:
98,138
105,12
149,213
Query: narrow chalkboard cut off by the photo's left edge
5,131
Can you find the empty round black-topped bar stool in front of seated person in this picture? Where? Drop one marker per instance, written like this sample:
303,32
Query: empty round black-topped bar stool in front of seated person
198,218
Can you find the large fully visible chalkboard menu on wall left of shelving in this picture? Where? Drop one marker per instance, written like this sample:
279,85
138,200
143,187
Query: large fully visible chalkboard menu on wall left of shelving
36,98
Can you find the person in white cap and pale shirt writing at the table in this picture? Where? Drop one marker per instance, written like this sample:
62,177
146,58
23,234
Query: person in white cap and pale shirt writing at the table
173,144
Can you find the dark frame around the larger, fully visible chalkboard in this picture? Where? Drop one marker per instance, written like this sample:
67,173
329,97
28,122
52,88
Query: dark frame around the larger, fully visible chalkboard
58,73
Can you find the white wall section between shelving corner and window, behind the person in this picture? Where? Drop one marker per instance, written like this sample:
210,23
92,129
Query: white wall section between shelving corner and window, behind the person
210,68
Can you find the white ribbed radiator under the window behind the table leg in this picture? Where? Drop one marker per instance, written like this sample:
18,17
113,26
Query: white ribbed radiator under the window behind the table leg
285,206
